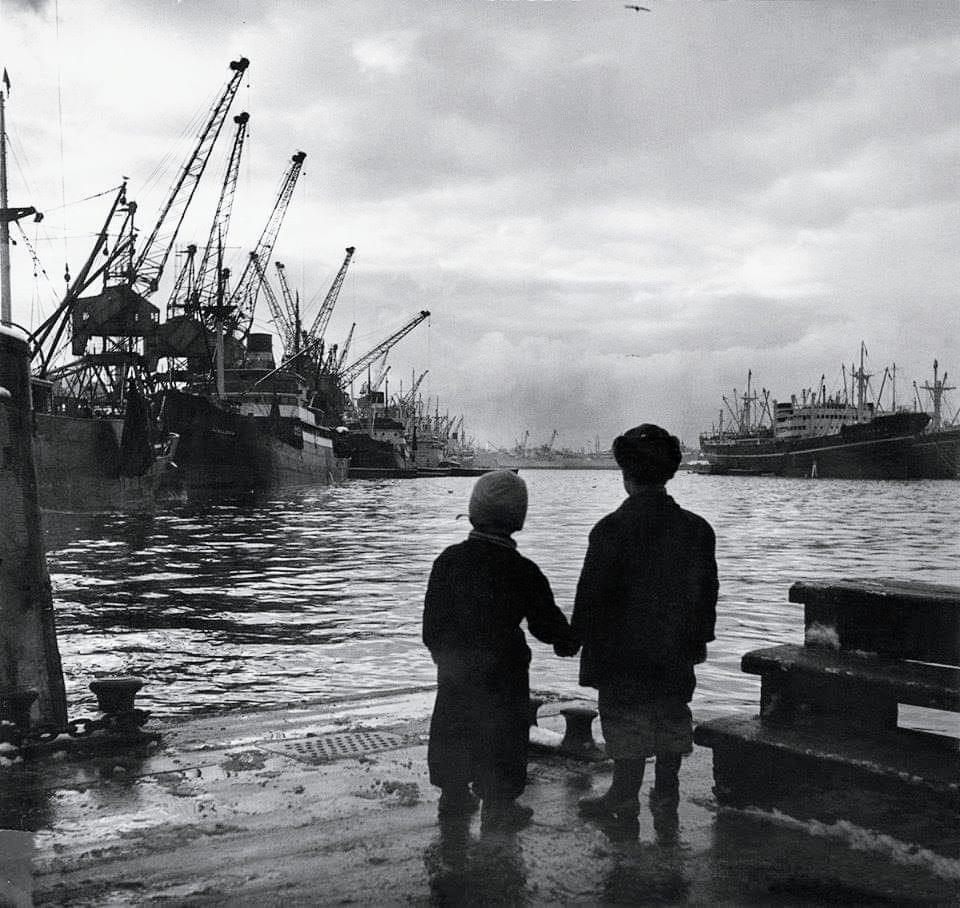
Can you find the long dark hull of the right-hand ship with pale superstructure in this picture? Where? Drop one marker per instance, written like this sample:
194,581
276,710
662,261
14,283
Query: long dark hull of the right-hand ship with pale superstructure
885,448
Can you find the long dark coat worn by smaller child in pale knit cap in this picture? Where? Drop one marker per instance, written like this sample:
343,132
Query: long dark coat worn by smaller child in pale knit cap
478,595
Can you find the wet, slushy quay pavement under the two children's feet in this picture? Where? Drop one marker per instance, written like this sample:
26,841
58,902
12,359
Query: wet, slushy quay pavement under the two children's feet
330,803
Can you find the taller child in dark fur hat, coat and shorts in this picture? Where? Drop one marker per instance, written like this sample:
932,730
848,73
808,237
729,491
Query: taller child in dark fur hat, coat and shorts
644,611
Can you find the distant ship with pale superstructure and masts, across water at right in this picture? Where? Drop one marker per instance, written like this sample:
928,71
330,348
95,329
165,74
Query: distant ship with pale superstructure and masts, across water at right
820,436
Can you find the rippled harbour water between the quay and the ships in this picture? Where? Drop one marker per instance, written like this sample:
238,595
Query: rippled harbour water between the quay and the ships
319,594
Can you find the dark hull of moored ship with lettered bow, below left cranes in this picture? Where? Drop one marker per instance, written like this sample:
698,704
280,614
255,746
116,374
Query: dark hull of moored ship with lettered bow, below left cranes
221,452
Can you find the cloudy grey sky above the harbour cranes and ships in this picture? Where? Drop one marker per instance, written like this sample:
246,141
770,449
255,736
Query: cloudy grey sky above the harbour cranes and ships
611,215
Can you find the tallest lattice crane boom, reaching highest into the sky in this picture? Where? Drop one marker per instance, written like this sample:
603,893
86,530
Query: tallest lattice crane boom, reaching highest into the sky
154,253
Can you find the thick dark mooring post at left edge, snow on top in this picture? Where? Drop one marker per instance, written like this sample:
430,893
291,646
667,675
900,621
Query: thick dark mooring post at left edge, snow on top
29,656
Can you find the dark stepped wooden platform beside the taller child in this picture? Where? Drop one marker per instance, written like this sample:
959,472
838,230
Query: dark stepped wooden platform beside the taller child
827,744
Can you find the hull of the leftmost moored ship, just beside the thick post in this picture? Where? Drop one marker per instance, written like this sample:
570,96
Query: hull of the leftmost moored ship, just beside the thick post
79,465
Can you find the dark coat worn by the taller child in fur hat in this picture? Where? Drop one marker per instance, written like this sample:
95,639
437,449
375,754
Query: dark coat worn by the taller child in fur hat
646,599
